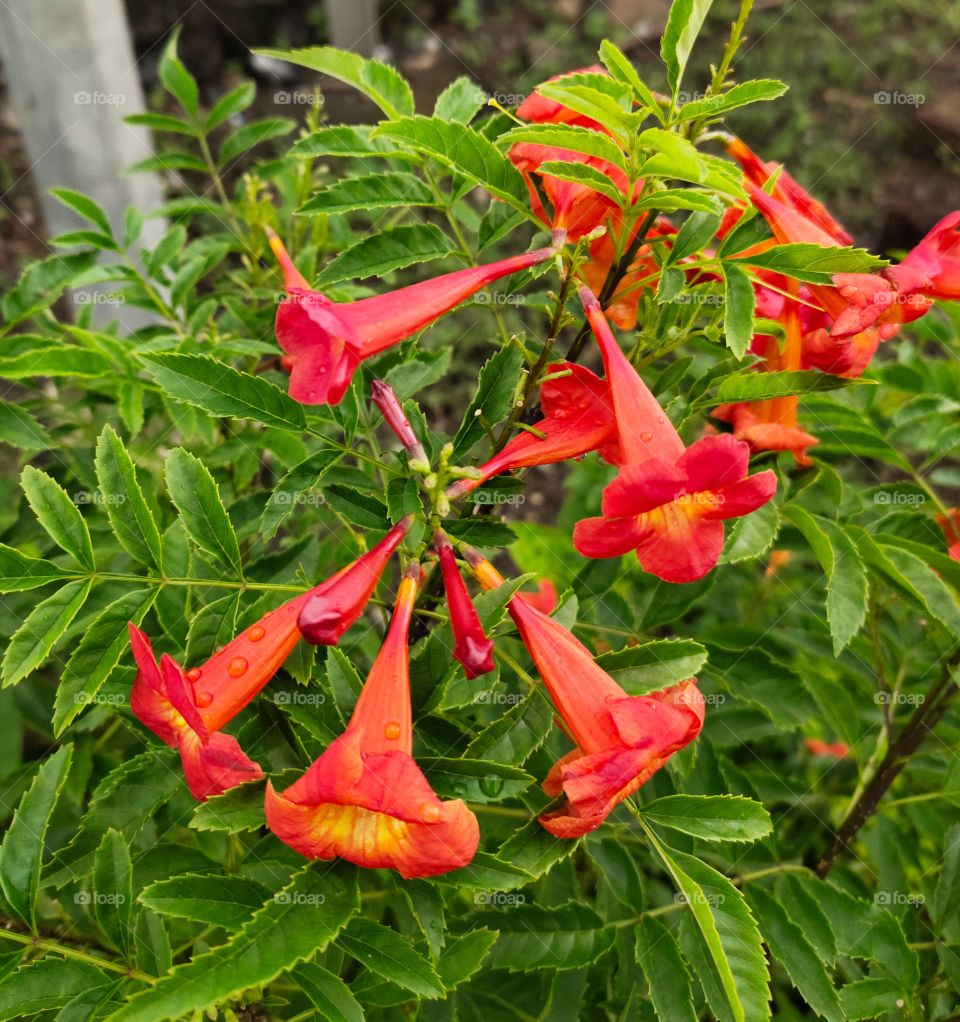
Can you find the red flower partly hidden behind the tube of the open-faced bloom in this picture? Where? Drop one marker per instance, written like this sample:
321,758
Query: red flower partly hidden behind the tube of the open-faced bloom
578,419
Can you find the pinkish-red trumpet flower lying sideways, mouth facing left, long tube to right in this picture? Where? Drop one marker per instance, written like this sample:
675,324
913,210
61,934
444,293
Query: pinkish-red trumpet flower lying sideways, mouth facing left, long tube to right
326,342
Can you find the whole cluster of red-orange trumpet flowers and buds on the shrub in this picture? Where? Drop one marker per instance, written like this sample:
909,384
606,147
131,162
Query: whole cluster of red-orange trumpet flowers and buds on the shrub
365,799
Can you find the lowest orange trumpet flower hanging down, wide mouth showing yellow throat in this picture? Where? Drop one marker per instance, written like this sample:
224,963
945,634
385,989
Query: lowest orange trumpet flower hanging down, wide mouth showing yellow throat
365,800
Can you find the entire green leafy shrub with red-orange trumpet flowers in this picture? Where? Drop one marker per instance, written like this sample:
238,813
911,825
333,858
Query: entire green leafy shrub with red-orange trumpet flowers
323,724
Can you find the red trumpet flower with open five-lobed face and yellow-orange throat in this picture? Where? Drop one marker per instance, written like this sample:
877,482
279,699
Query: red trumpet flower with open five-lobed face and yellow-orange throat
669,503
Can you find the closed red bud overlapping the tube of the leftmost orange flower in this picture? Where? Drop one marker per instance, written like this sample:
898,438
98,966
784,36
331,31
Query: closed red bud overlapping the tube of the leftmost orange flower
336,605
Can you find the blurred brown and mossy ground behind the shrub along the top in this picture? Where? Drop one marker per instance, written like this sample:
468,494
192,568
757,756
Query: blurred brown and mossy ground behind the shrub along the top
872,122
